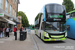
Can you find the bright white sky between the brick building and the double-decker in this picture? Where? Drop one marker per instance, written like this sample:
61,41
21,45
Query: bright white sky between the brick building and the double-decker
32,7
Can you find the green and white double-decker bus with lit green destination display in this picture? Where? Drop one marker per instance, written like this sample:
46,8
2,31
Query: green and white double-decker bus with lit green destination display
50,23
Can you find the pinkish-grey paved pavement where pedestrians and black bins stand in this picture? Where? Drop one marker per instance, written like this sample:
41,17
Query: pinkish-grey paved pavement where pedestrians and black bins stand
12,44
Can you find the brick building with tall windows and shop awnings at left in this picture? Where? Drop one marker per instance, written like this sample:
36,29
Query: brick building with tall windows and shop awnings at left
8,13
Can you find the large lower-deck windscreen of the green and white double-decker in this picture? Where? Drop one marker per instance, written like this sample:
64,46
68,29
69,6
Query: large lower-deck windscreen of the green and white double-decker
55,27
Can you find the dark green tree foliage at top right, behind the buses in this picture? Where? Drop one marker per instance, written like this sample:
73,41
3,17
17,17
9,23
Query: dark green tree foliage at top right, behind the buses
68,5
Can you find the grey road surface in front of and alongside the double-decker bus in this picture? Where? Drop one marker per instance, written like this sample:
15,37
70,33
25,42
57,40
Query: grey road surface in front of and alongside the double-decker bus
69,44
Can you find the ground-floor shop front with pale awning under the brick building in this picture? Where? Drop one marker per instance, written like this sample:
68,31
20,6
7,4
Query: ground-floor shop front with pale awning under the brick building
4,22
